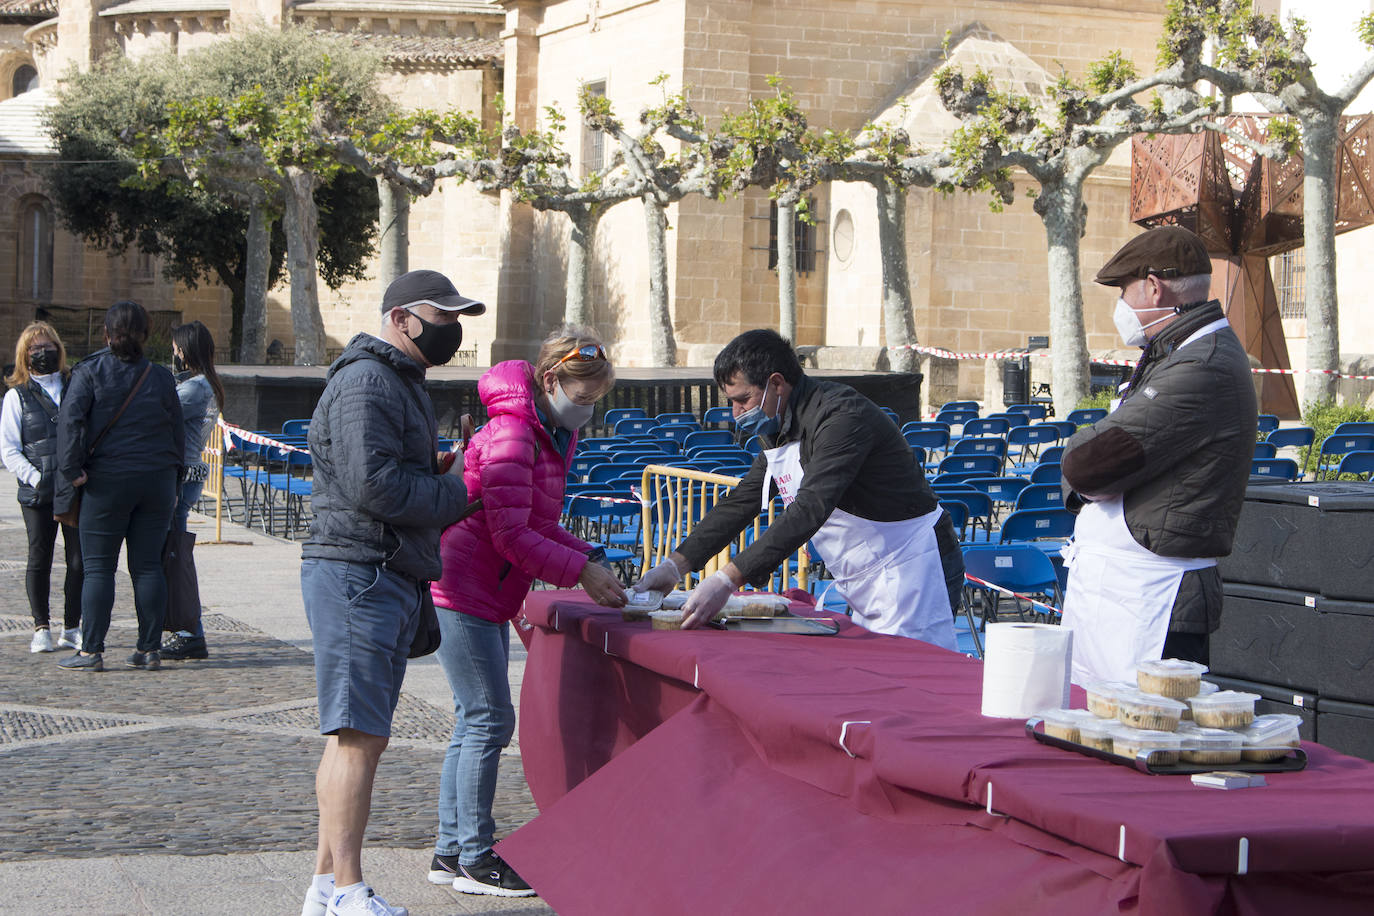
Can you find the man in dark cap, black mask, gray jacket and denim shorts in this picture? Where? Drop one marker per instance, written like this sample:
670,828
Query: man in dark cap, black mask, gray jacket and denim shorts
381,502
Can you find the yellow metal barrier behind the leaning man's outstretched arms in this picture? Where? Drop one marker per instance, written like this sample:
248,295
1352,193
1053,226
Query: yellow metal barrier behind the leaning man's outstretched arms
675,499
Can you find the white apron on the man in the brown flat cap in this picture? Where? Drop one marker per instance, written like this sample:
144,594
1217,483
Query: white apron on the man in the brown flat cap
1120,595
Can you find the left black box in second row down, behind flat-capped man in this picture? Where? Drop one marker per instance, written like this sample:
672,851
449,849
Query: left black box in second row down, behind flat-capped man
1269,635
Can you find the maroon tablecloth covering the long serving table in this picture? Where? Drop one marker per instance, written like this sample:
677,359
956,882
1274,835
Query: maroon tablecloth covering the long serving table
857,771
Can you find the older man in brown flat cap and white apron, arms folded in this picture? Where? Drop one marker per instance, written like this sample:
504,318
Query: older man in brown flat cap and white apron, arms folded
1159,483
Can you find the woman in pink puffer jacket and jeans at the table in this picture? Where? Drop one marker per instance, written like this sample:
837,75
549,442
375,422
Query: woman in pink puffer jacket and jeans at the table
517,466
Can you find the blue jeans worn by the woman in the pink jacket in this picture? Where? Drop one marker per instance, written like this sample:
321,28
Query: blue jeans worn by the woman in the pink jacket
475,656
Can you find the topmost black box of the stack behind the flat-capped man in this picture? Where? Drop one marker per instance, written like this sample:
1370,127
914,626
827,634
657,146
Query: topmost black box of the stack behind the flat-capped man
1288,539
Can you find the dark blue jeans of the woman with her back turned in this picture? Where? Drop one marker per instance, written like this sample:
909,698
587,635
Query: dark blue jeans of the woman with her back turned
135,512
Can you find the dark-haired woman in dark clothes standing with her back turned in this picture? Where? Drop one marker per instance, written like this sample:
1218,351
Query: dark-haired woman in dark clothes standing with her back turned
127,466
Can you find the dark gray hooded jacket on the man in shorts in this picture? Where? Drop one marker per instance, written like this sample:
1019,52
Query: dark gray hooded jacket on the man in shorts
373,442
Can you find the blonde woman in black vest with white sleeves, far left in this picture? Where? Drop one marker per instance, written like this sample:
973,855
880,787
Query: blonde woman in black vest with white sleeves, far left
30,448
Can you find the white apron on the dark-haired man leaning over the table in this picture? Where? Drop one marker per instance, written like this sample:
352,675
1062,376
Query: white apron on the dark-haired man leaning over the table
888,572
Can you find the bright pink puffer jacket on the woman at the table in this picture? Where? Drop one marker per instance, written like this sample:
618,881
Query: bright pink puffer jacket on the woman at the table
512,465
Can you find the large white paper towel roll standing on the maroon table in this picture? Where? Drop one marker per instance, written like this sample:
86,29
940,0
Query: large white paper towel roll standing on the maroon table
1026,669
